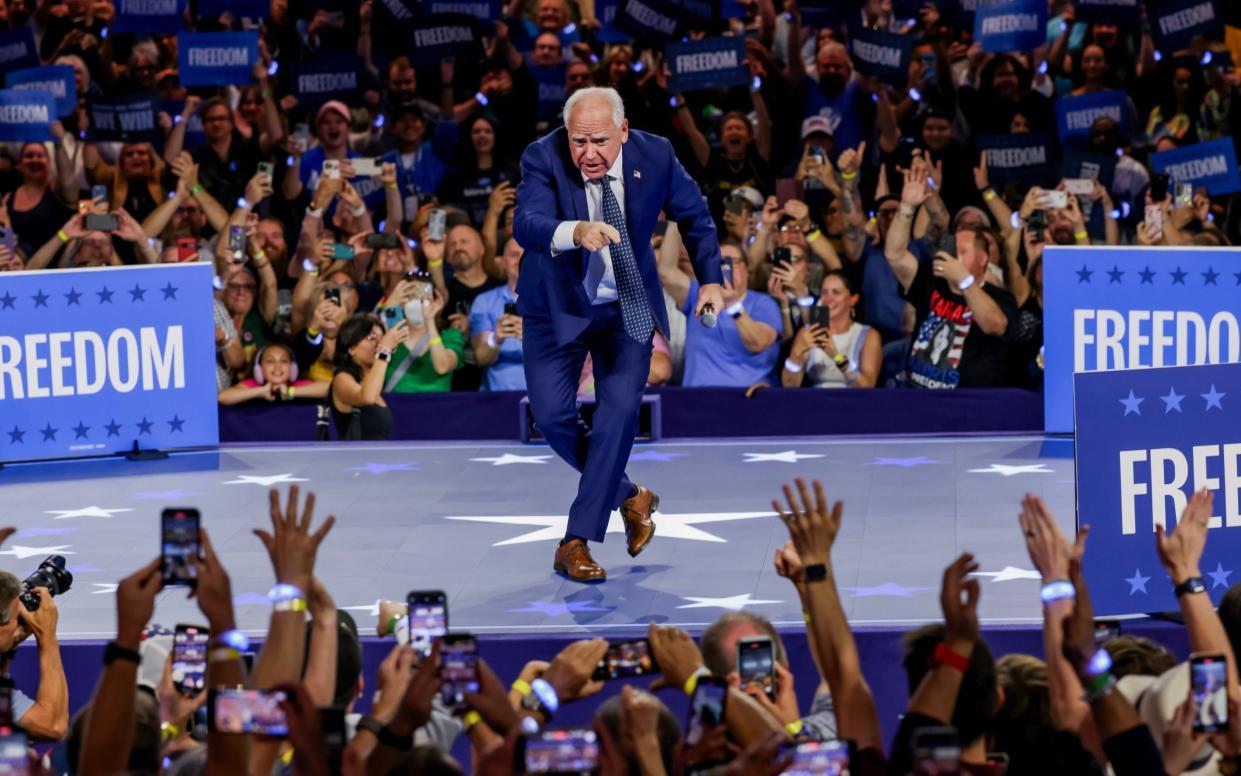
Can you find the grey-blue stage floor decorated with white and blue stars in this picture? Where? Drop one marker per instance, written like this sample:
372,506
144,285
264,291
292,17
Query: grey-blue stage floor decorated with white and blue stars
481,522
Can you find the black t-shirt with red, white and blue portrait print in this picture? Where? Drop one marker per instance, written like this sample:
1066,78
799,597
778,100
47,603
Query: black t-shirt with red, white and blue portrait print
949,351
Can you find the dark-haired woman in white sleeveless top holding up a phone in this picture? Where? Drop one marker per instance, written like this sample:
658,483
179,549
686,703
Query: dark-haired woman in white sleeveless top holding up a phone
835,351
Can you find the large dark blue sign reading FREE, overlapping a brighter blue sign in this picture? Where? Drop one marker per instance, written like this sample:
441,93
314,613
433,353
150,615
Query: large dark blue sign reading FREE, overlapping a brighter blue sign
1146,440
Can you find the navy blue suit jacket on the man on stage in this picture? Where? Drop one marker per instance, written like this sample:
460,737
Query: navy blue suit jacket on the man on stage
553,192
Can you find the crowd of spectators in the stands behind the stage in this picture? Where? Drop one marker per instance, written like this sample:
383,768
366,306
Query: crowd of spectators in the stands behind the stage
868,240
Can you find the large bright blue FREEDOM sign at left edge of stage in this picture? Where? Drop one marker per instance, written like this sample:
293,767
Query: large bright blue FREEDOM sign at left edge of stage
94,361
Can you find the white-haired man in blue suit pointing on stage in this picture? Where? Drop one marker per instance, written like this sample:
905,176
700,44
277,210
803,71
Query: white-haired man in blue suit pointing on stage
590,197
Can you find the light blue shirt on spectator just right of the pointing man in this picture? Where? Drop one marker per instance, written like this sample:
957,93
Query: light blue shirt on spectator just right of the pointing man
718,357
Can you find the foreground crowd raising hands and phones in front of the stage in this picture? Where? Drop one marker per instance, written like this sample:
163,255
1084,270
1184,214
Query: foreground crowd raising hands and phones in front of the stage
1089,705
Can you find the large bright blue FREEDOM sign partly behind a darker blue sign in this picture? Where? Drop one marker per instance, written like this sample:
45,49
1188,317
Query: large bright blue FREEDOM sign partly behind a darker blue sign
1109,309
